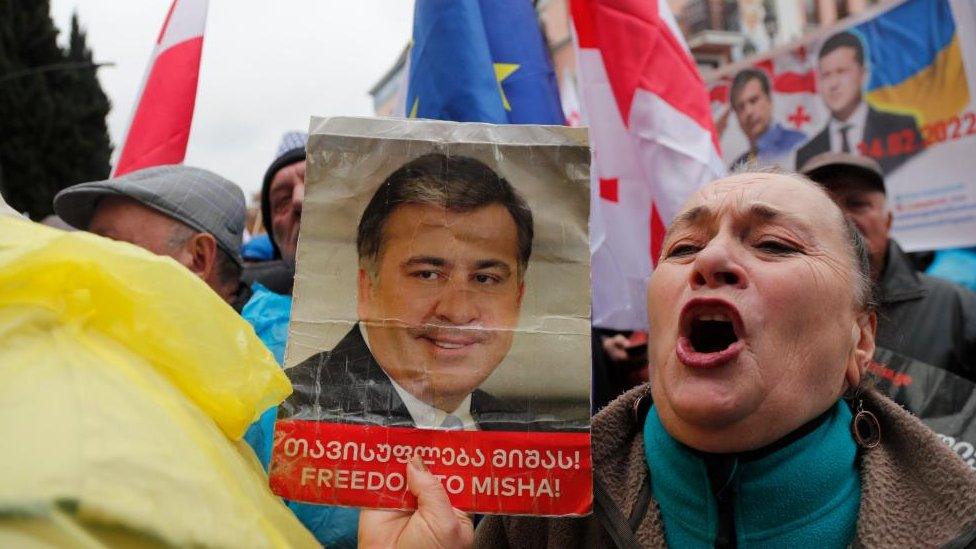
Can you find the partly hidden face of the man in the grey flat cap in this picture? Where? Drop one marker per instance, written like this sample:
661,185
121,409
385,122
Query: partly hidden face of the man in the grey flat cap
124,219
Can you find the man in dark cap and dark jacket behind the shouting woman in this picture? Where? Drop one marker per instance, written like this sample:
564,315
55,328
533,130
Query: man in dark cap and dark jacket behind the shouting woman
920,317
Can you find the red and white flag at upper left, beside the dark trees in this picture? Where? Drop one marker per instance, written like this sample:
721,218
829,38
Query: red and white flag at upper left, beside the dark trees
160,125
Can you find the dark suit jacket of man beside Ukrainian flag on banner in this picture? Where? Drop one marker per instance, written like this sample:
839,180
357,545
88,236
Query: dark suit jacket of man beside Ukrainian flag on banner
890,138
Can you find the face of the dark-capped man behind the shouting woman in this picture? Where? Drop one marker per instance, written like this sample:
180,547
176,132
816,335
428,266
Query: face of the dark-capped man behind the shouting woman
867,208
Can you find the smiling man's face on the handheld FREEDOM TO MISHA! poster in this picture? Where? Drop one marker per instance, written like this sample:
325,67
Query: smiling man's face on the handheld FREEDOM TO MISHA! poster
439,312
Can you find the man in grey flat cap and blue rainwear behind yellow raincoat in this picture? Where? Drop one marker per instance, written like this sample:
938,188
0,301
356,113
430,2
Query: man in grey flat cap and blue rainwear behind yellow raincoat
197,218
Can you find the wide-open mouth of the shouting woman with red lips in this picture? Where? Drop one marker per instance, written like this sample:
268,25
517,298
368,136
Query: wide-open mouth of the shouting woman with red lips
710,333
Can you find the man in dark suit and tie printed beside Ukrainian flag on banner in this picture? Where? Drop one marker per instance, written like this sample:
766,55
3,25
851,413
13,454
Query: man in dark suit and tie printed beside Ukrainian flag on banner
855,126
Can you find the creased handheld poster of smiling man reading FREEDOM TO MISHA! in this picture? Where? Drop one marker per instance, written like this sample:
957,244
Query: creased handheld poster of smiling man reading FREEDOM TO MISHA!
441,310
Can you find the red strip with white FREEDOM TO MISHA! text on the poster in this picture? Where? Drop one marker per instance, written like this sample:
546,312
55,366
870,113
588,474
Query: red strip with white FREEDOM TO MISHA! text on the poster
523,473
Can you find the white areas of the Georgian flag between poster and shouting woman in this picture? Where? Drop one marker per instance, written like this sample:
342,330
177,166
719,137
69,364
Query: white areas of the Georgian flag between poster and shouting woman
663,157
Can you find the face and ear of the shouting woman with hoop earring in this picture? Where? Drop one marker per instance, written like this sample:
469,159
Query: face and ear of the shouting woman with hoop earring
754,326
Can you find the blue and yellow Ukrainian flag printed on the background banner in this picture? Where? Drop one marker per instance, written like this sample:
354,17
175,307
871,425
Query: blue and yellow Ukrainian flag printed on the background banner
915,61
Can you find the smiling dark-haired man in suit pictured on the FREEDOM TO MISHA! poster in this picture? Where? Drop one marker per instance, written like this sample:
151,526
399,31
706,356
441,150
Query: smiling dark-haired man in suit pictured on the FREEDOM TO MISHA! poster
443,246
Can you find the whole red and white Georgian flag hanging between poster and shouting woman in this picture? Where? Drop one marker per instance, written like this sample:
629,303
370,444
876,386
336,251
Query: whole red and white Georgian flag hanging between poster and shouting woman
653,139
